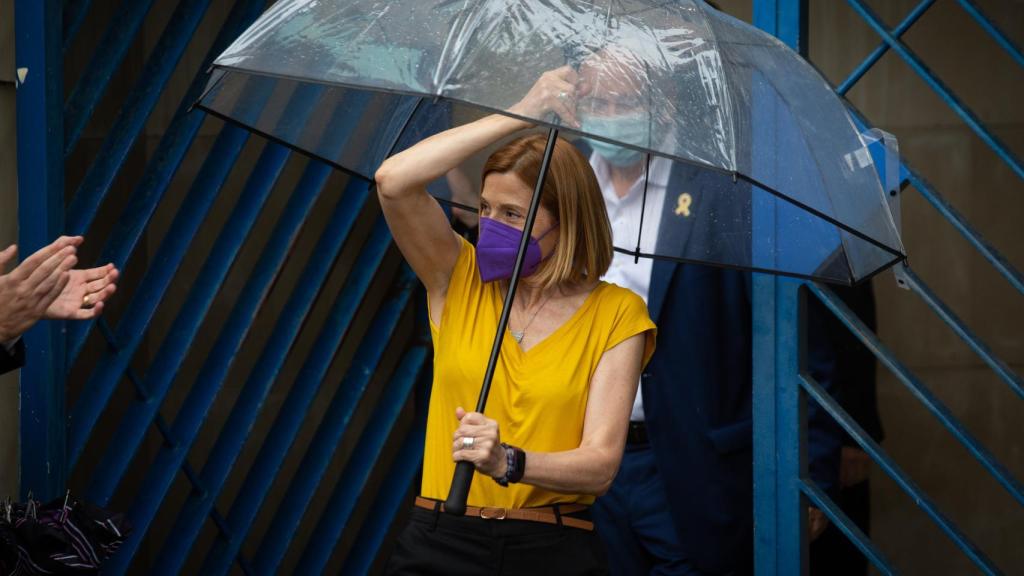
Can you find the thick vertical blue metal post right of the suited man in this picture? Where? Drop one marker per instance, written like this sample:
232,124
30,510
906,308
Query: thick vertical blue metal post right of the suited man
779,517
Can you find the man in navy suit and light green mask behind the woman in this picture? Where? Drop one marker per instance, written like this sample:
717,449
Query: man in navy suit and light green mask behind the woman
682,502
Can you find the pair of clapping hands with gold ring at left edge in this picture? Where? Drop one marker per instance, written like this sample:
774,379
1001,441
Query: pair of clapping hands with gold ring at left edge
46,286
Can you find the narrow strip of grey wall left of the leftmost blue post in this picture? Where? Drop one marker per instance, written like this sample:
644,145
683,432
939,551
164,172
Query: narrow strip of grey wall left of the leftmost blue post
9,234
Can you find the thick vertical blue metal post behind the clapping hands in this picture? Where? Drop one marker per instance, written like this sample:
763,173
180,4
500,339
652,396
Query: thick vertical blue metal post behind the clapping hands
38,38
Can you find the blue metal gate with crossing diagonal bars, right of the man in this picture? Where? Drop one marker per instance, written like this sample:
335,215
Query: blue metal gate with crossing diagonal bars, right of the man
781,481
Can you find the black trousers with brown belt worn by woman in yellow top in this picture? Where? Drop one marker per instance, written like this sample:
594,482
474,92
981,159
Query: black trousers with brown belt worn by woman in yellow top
435,543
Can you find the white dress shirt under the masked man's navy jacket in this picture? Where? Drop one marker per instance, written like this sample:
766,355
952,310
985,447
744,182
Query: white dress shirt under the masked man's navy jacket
625,216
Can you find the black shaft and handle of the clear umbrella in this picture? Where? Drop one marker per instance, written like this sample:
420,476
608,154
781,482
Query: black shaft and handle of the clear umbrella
456,504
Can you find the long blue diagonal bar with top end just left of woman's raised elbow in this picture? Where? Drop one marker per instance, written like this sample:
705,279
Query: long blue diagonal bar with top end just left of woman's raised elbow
247,408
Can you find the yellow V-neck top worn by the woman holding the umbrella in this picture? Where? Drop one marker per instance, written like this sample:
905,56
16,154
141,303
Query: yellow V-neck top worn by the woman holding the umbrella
538,397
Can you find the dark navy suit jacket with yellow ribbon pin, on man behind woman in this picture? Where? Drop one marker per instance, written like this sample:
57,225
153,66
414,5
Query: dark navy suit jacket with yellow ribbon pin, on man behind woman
698,387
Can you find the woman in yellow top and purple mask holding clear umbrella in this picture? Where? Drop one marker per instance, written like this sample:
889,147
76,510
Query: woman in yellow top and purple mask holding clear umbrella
560,406
